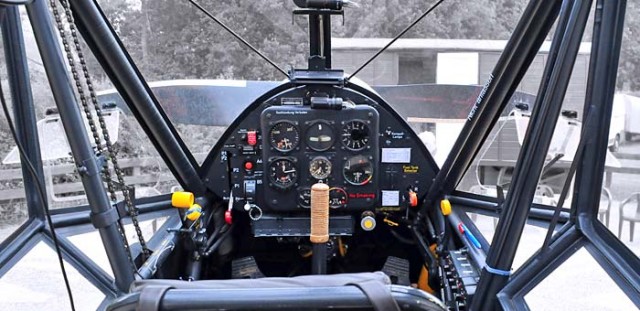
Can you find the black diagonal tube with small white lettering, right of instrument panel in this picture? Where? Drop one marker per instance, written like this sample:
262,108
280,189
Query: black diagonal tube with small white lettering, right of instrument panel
520,51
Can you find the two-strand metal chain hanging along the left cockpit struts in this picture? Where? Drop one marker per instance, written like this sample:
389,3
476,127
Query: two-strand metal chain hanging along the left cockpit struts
133,211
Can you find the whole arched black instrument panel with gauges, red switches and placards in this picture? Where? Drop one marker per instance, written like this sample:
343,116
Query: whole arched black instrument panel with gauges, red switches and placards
282,144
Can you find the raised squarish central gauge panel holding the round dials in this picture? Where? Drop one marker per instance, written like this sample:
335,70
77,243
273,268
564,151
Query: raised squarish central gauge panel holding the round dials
306,146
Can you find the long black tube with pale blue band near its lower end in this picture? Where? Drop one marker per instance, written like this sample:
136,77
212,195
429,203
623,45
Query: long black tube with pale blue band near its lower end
531,159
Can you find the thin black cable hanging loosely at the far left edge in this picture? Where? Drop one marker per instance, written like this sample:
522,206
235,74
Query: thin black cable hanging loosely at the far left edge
40,189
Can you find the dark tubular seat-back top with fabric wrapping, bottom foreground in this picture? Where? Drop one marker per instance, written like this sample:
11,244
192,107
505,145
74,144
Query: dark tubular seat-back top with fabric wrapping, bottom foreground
309,292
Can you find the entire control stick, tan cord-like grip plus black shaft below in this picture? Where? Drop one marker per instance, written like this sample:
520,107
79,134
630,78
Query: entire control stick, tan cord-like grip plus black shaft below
319,227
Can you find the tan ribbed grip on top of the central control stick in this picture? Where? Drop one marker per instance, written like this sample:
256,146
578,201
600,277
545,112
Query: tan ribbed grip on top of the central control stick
319,213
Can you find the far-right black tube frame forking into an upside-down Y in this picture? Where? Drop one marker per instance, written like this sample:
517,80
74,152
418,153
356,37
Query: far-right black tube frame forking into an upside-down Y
584,230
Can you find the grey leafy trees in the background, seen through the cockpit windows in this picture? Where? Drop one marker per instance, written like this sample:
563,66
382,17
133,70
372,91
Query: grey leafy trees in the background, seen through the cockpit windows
173,40
